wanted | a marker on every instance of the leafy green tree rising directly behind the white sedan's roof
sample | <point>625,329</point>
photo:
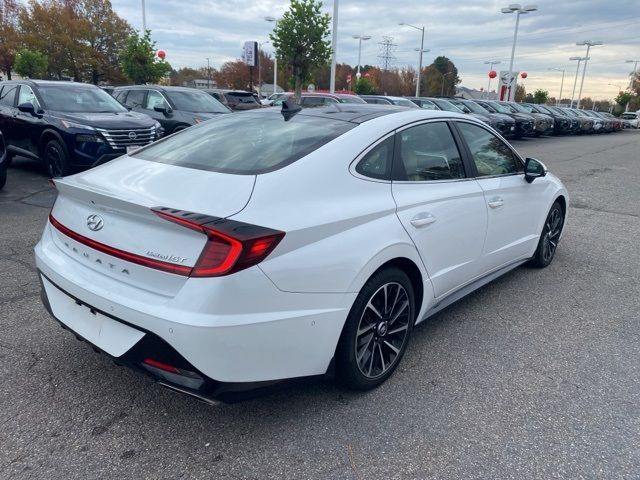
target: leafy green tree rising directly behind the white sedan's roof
<point>300,40</point>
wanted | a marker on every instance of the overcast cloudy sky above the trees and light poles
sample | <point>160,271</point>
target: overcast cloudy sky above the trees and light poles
<point>467,31</point>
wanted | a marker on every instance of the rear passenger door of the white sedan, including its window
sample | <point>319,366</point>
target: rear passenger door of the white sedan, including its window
<point>440,207</point>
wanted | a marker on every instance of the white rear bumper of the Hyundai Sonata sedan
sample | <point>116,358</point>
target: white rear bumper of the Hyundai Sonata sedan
<point>235,330</point>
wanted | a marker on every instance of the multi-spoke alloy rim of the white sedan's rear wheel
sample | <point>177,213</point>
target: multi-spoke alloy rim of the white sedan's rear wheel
<point>382,330</point>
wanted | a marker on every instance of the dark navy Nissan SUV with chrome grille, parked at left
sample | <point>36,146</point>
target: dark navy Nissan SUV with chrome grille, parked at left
<point>69,125</point>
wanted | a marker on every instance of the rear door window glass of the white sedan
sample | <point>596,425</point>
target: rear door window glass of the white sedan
<point>428,152</point>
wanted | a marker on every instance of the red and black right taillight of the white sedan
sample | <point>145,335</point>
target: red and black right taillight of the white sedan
<point>231,245</point>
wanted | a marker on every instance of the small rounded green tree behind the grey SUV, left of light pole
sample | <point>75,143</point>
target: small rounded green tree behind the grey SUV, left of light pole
<point>139,62</point>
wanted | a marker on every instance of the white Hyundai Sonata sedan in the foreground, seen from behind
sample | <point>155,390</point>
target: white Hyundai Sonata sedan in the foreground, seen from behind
<point>273,244</point>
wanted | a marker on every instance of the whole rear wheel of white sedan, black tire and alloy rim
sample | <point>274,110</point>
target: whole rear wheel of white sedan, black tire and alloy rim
<point>376,334</point>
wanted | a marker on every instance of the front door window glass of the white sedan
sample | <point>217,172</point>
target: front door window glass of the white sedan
<point>490,154</point>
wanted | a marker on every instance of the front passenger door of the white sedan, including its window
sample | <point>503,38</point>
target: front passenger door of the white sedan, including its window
<point>513,206</point>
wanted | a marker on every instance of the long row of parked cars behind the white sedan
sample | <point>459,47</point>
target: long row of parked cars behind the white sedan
<point>70,126</point>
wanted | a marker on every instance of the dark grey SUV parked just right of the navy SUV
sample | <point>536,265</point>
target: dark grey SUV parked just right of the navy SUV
<point>176,108</point>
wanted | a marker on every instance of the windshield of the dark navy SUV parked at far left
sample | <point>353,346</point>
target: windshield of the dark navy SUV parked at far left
<point>79,99</point>
